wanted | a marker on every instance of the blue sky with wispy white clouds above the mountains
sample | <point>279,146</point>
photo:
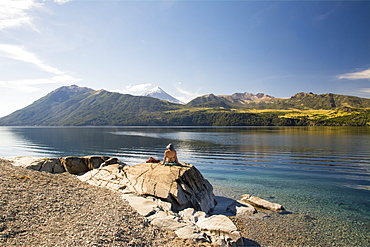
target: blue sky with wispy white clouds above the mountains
<point>187,47</point>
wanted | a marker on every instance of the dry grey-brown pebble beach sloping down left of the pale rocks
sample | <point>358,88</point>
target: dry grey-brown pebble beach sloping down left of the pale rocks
<point>43,209</point>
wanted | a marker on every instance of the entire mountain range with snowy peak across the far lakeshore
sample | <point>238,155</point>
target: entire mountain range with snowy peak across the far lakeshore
<point>81,106</point>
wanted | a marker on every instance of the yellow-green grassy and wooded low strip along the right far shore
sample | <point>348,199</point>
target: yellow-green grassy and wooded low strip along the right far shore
<point>337,116</point>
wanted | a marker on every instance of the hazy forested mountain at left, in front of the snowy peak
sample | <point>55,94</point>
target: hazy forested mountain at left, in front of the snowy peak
<point>85,108</point>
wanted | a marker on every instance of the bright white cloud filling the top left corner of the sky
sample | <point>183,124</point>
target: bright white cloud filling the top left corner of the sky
<point>14,13</point>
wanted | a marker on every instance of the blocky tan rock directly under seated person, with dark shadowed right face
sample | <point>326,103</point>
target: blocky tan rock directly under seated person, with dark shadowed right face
<point>182,185</point>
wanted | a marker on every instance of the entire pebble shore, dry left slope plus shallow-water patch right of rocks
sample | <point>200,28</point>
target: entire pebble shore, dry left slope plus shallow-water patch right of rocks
<point>43,209</point>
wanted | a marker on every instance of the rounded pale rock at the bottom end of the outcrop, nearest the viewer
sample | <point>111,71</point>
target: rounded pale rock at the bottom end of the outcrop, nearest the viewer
<point>221,230</point>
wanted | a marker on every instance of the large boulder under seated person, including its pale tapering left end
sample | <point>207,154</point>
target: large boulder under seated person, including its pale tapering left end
<point>183,186</point>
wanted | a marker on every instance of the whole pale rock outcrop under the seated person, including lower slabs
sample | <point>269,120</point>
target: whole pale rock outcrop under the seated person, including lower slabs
<point>175,198</point>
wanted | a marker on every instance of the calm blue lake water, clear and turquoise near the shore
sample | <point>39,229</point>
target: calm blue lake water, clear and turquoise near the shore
<point>319,171</point>
